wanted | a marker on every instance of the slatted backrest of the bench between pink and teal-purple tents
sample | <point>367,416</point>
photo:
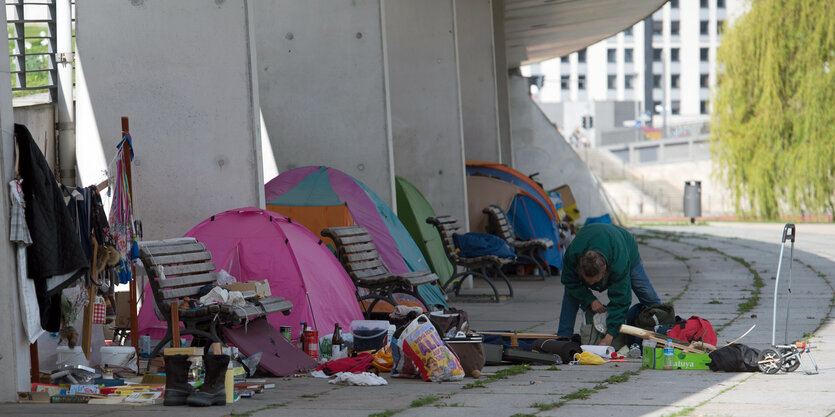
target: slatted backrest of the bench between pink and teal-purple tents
<point>356,251</point>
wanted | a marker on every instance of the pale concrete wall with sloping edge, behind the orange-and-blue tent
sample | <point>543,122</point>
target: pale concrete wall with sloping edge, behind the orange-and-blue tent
<point>538,147</point>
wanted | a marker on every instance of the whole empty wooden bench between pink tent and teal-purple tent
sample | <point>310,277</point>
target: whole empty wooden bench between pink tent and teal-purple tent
<point>356,251</point>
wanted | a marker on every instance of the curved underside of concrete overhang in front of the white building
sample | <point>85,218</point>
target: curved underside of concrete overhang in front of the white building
<point>536,30</point>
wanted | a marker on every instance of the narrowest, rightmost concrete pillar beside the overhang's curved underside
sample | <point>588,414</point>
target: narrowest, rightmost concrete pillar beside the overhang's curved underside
<point>505,137</point>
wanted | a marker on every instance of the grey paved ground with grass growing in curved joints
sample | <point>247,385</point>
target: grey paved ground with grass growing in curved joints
<point>707,270</point>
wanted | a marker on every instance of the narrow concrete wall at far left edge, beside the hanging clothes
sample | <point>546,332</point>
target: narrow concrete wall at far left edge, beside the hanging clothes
<point>14,365</point>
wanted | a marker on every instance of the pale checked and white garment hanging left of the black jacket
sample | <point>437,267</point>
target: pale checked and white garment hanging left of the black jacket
<point>20,237</point>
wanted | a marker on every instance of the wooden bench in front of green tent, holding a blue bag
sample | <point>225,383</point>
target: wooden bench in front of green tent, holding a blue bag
<point>487,267</point>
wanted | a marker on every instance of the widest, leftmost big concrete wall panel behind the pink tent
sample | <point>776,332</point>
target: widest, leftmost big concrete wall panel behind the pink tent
<point>182,72</point>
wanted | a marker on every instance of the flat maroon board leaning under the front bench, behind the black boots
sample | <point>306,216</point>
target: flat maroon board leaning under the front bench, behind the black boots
<point>280,357</point>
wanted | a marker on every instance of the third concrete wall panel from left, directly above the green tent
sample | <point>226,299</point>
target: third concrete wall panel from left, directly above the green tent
<point>425,101</point>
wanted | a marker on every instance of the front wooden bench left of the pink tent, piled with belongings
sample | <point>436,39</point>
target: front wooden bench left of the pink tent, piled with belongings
<point>178,269</point>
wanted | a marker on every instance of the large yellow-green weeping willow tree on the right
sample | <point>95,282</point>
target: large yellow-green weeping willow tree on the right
<point>773,121</point>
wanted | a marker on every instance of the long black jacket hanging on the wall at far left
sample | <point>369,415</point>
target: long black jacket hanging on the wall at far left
<point>55,258</point>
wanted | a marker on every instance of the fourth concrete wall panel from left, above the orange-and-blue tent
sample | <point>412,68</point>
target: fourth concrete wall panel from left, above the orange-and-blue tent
<point>477,72</point>
